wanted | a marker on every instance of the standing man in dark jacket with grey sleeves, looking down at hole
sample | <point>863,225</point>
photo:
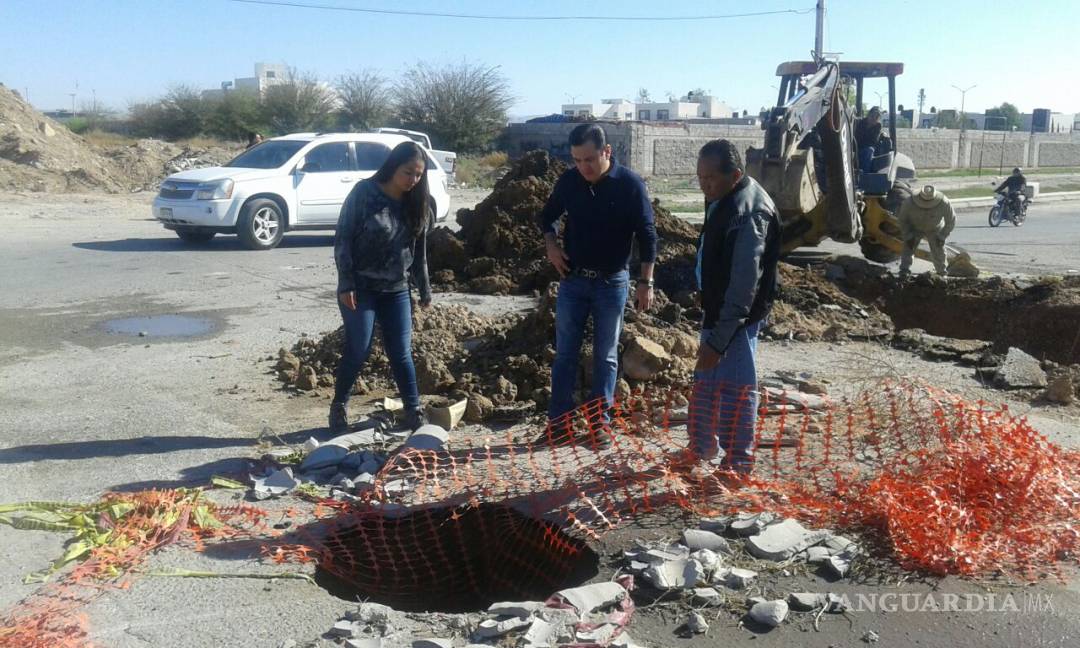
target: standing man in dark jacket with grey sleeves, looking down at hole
<point>737,273</point>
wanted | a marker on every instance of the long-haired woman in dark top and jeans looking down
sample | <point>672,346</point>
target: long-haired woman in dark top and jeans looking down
<point>382,241</point>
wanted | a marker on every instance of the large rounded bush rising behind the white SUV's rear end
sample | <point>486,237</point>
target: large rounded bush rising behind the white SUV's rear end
<point>463,106</point>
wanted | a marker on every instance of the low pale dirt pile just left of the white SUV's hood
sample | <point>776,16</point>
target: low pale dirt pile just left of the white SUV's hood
<point>144,165</point>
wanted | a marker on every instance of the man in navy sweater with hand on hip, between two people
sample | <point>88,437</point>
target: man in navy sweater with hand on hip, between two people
<point>606,208</point>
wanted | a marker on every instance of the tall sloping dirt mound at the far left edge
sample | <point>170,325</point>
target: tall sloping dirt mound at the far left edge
<point>40,155</point>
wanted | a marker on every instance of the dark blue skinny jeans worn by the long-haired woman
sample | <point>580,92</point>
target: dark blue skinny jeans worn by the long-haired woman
<point>395,314</point>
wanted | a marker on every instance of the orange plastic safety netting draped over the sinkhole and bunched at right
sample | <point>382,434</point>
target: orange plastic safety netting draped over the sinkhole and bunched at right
<point>951,487</point>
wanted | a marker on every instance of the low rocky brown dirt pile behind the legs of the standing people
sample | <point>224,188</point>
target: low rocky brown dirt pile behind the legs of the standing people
<point>502,366</point>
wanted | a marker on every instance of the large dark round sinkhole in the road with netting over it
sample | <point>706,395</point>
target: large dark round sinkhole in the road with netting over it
<point>451,560</point>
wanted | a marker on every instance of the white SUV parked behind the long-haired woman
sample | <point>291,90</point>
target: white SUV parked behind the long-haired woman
<point>293,183</point>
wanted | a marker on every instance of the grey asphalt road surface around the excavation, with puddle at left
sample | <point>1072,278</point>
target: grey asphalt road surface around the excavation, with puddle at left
<point>87,408</point>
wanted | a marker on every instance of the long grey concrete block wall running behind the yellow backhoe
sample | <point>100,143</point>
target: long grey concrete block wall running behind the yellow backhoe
<point>671,148</point>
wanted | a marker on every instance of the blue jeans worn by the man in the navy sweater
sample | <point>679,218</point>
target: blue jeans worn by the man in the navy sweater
<point>579,299</point>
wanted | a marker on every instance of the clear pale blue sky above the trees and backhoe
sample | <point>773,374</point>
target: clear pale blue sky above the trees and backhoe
<point>131,50</point>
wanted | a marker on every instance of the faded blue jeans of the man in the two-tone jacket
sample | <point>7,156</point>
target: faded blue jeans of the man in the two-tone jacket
<point>724,406</point>
